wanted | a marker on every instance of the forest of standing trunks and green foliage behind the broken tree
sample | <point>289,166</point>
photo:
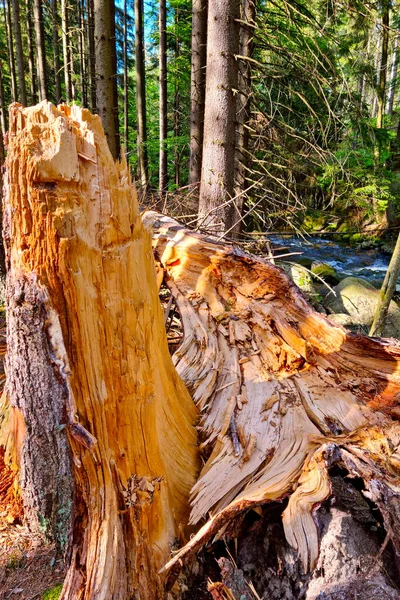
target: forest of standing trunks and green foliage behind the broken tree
<point>311,105</point>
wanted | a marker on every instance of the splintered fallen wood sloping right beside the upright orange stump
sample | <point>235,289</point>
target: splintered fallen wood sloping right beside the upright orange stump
<point>283,393</point>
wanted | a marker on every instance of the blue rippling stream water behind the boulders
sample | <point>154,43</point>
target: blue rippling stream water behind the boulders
<point>346,260</point>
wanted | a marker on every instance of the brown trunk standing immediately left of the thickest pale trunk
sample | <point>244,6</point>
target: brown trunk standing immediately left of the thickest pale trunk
<point>197,87</point>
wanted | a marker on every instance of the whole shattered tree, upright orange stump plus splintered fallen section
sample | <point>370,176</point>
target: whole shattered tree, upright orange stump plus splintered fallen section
<point>102,424</point>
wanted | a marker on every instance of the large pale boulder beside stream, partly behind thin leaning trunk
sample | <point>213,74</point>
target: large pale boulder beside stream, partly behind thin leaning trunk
<point>358,299</point>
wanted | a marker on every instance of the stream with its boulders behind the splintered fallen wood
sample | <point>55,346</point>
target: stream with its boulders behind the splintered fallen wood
<point>352,276</point>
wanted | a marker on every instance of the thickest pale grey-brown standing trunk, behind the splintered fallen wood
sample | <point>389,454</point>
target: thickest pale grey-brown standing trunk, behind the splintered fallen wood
<point>217,177</point>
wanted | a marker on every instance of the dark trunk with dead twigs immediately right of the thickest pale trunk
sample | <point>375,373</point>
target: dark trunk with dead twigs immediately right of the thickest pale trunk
<point>243,109</point>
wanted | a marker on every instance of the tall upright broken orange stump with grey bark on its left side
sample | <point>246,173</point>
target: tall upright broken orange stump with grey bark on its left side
<point>108,453</point>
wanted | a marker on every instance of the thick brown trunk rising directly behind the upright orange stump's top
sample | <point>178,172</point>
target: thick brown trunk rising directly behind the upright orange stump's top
<point>106,71</point>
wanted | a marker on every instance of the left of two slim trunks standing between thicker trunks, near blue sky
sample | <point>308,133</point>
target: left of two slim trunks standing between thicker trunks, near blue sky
<point>141,96</point>
